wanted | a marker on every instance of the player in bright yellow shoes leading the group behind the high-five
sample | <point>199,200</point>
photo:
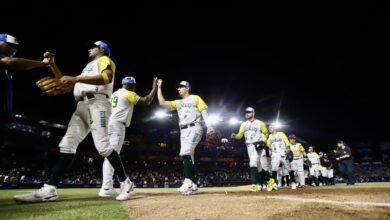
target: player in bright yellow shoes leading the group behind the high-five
<point>255,132</point>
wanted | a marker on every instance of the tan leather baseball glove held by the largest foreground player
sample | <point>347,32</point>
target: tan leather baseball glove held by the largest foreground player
<point>52,86</point>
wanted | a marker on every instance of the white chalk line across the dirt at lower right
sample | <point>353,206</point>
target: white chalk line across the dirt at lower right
<point>378,204</point>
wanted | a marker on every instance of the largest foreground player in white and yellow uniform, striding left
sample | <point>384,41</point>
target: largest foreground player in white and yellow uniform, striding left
<point>92,89</point>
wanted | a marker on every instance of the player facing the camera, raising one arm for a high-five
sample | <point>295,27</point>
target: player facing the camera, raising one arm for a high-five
<point>190,108</point>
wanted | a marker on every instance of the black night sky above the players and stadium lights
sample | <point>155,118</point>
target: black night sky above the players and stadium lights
<point>321,63</point>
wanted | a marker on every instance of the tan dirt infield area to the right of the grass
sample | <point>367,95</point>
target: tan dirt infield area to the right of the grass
<point>263,205</point>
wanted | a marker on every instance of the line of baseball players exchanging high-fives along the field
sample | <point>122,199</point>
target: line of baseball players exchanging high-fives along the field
<point>106,114</point>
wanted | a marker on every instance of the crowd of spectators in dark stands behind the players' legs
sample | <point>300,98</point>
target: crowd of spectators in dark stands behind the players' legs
<point>88,172</point>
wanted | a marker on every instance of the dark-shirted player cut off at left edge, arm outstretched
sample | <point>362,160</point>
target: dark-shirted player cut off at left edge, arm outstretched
<point>8,48</point>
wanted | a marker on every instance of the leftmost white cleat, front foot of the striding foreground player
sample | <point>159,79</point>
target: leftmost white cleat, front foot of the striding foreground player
<point>47,193</point>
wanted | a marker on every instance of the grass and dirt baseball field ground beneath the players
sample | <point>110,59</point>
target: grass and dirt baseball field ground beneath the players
<point>362,201</point>
